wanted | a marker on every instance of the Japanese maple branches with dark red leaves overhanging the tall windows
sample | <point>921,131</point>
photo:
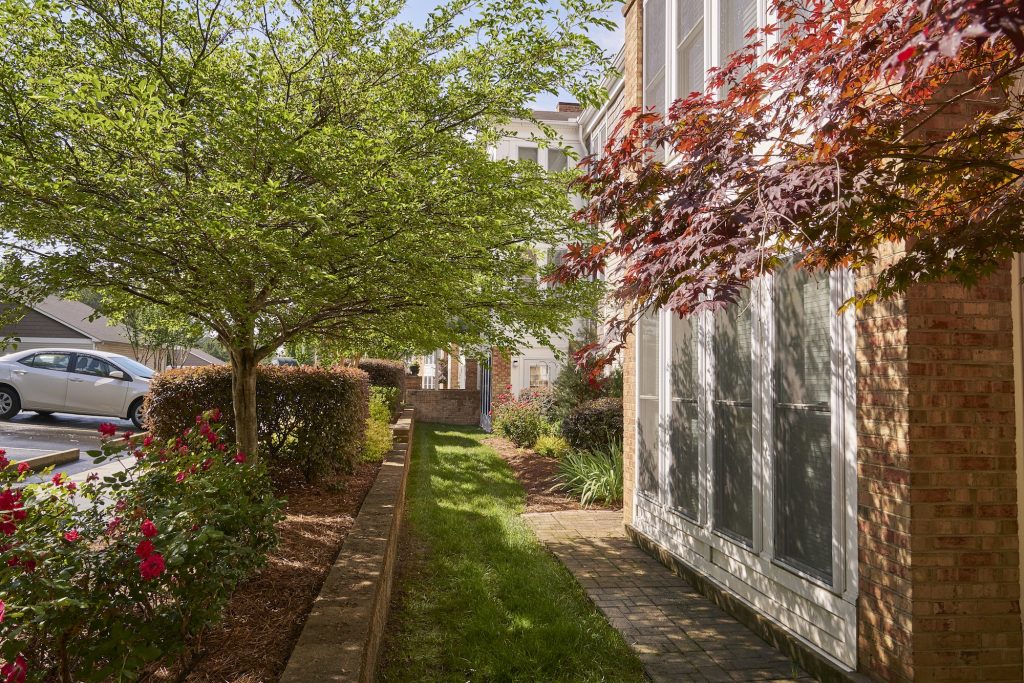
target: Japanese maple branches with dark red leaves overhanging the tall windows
<point>843,127</point>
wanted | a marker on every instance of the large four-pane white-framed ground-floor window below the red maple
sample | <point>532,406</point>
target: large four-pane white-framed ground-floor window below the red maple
<point>745,425</point>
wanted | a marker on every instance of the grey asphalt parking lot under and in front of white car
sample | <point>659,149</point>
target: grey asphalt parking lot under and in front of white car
<point>30,435</point>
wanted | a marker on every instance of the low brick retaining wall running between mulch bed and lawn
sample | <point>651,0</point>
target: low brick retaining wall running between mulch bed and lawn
<point>342,639</point>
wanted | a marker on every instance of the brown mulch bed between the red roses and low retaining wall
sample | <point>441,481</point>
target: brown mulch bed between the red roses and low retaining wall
<point>266,616</point>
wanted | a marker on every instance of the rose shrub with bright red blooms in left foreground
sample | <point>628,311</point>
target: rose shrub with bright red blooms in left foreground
<point>99,580</point>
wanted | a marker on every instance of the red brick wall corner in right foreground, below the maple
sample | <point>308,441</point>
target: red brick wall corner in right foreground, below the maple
<point>940,566</point>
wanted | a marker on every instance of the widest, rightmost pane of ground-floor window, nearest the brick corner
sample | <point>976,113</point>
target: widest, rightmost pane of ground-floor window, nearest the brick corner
<point>803,422</point>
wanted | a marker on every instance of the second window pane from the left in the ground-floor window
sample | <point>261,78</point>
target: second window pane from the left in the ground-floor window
<point>684,474</point>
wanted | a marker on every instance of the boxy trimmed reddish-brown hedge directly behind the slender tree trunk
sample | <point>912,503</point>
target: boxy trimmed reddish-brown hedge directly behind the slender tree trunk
<point>313,419</point>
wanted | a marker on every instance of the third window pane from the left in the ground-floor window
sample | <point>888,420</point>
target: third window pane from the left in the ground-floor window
<point>734,477</point>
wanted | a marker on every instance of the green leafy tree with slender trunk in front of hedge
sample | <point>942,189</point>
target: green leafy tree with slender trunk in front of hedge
<point>290,168</point>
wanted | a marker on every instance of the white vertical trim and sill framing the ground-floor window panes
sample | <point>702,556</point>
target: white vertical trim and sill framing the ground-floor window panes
<point>761,554</point>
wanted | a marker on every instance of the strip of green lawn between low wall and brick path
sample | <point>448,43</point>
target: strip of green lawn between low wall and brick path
<point>484,601</point>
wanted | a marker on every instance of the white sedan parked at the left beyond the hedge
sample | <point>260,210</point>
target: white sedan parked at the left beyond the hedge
<point>84,382</point>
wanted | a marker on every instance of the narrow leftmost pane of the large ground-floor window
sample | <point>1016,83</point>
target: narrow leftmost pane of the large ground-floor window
<point>648,408</point>
